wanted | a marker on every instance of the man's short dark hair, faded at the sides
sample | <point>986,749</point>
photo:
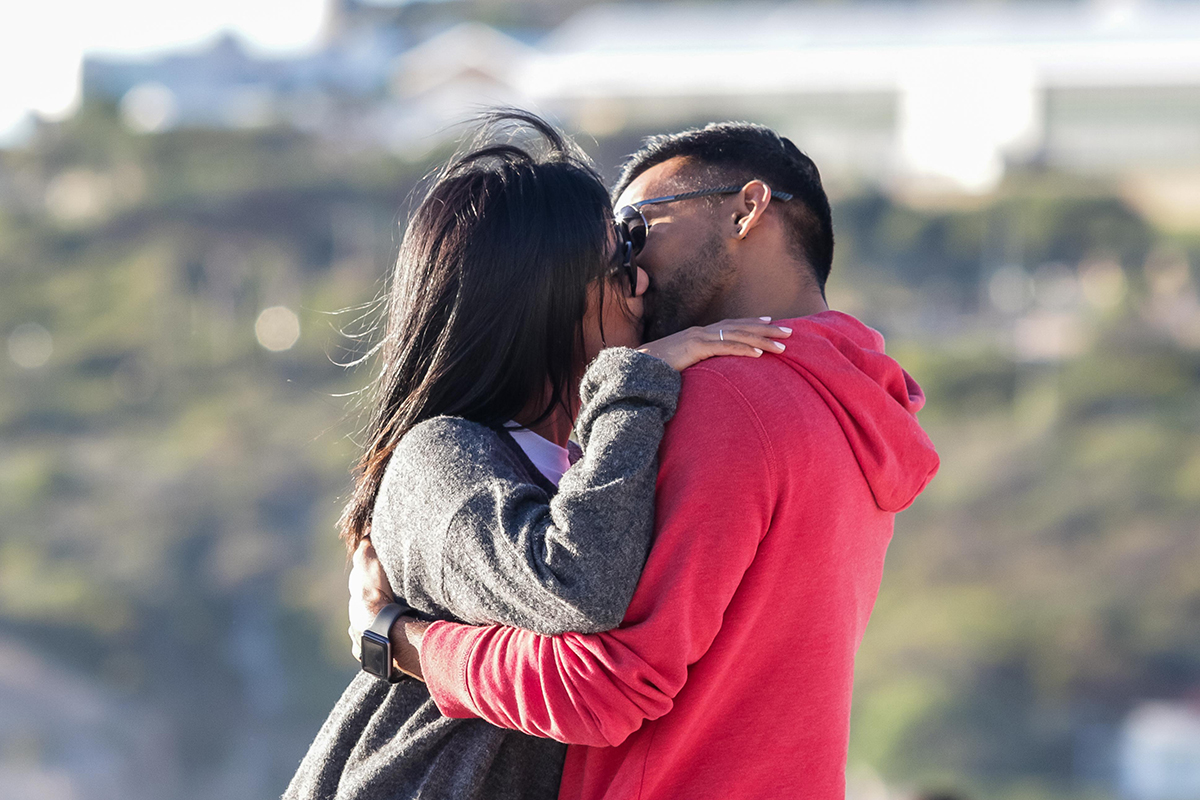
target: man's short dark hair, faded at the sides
<point>731,153</point>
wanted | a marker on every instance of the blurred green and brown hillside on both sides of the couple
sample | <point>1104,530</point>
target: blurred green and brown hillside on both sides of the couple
<point>172,461</point>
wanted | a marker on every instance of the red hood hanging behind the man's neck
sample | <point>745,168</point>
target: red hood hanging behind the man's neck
<point>873,399</point>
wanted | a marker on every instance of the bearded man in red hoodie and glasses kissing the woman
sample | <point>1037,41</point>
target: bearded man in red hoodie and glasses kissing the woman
<point>779,480</point>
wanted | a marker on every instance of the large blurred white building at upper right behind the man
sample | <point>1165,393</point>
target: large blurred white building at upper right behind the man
<point>938,92</point>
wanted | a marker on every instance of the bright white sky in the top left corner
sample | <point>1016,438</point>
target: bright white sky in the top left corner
<point>43,44</point>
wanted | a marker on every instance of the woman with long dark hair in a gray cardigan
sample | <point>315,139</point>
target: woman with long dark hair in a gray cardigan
<point>509,284</point>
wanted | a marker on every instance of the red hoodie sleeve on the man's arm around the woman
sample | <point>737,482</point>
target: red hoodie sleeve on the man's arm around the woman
<point>716,497</point>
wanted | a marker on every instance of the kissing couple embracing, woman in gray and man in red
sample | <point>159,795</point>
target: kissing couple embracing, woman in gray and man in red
<point>670,607</point>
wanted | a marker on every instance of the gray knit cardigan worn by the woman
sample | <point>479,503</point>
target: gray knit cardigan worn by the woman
<point>469,531</point>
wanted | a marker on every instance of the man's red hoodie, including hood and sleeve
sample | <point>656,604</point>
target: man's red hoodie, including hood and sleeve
<point>731,675</point>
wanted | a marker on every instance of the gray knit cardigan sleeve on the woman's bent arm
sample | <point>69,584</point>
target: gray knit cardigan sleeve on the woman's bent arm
<point>493,548</point>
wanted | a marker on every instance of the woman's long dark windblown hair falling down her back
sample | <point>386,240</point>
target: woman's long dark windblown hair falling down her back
<point>489,293</point>
